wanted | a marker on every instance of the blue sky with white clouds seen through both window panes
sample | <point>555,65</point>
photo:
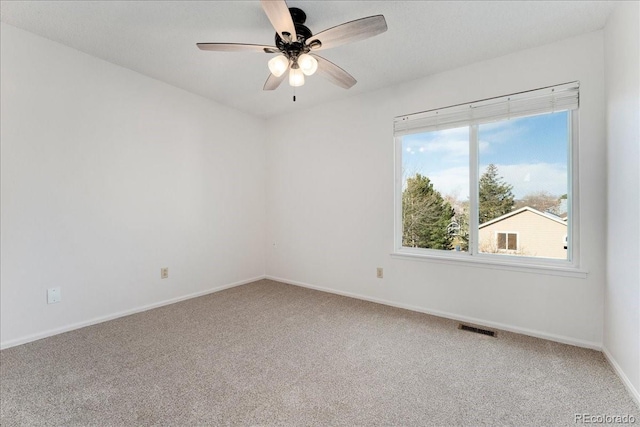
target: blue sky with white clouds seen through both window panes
<point>530,152</point>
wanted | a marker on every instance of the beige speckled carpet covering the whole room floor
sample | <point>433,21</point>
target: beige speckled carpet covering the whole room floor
<point>274,354</point>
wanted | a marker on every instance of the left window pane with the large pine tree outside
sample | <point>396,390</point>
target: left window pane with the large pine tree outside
<point>435,190</point>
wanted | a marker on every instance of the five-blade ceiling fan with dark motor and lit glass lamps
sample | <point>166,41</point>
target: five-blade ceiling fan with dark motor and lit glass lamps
<point>296,45</point>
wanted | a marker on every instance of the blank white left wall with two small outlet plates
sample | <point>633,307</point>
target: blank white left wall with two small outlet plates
<point>107,176</point>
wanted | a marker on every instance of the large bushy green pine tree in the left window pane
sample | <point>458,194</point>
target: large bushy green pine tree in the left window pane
<point>425,215</point>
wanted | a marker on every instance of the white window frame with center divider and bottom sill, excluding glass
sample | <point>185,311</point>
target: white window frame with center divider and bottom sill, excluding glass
<point>570,267</point>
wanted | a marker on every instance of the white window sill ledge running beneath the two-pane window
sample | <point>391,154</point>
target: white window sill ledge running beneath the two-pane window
<point>495,264</point>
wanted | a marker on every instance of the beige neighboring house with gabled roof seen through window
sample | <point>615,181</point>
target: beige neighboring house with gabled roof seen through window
<point>525,231</point>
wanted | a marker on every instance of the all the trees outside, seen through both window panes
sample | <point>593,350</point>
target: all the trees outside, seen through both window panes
<point>431,220</point>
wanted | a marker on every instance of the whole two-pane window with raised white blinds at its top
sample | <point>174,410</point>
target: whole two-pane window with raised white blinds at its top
<point>492,180</point>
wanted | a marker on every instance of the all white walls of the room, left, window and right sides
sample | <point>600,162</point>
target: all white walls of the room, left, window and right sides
<point>108,175</point>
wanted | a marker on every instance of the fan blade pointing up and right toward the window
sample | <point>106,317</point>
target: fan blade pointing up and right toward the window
<point>348,32</point>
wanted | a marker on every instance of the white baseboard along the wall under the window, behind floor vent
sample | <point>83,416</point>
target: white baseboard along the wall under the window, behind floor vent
<point>453,316</point>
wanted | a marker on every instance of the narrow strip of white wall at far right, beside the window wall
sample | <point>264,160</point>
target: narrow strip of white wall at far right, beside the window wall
<point>622,293</point>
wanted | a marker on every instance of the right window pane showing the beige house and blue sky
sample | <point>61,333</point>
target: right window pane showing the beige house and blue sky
<point>523,167</point>
